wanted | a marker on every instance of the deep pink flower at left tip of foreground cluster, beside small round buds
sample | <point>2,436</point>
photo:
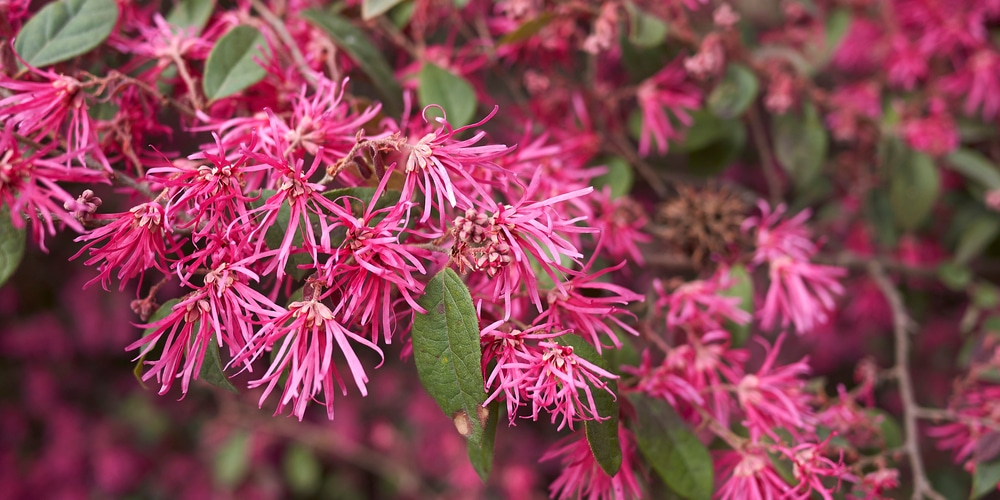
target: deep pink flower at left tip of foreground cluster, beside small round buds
<point>134,241</point>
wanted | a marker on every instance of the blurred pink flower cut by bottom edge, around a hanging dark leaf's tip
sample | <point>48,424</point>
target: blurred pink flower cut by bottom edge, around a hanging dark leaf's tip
<point>583,477</point>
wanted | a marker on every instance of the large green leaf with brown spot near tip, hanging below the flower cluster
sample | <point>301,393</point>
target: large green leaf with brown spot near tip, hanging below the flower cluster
<point>447,352</point>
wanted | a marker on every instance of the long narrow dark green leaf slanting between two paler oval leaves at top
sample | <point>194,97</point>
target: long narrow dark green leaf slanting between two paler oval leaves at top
<point>364,53</point>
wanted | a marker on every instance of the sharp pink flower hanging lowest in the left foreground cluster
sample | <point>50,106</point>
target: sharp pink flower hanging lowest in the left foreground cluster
<point>308,334</point>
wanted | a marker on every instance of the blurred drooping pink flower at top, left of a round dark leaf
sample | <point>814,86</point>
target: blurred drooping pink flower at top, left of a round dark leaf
<point>666,90</point>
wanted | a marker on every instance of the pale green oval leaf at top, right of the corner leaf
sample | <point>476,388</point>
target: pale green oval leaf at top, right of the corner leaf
<point>231,67</point>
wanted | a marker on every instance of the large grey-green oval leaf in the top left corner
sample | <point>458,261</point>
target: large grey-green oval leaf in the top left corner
<point>65,29</point>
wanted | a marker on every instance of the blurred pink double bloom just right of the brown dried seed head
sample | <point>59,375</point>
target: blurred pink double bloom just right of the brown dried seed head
<point>800,292</point>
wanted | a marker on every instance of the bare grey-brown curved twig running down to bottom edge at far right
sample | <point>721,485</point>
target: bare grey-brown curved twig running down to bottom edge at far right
<point>901,329</point>
